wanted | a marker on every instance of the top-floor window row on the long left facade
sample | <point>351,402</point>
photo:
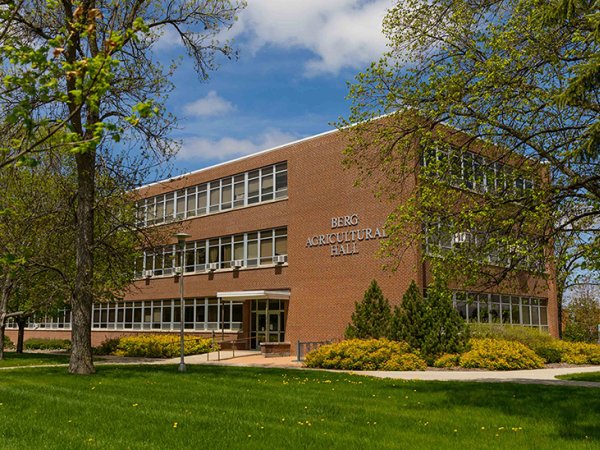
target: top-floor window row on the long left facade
<point>248,188</point>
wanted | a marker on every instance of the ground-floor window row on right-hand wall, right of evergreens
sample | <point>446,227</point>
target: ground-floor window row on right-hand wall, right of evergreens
<point>503,309</point>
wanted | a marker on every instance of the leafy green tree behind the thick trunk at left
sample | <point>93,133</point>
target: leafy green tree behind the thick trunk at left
<point>37,217</point>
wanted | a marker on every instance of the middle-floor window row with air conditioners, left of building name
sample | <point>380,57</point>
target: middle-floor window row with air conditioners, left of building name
<point>258,248</point>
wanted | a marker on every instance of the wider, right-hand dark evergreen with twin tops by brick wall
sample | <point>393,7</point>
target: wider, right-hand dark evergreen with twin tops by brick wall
<point>431,325</point>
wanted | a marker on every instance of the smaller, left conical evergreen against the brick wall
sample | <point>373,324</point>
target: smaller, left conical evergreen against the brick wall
<point>371,318</point>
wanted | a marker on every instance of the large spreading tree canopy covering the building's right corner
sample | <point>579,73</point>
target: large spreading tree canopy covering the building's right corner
<point>499,100</point>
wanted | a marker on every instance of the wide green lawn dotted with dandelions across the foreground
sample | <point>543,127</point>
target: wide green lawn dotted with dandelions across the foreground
<point>154,407</point>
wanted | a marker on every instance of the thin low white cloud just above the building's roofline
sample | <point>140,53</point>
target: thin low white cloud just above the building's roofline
<point>201,150</point>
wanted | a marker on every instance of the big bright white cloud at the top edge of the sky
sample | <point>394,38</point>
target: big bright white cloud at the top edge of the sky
<point>341,33</point>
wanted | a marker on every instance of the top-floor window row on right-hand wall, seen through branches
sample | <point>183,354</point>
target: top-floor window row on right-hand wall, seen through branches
<point>475,172</point>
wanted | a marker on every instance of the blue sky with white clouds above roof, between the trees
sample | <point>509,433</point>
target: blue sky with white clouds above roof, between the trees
<point>295,57</point>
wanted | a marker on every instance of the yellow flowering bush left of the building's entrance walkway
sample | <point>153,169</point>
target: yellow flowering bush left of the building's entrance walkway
<point>161,346</point>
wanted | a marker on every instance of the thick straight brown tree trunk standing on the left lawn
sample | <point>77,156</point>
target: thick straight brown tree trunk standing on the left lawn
<point>81,339</point>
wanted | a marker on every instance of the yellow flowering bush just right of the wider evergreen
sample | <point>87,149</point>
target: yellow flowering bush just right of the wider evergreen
<point>498,354</point>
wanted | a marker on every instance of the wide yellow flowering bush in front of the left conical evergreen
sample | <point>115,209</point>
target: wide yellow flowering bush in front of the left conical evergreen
<point>368,354</point>
